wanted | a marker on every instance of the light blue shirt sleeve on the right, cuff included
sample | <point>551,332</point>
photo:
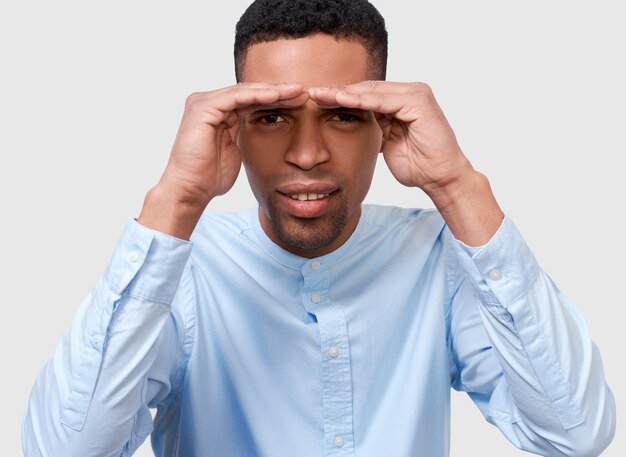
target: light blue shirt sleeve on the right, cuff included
<point>523,352</point>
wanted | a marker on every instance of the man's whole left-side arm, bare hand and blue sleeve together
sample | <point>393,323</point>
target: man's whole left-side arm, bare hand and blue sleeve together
<point>128,345</point>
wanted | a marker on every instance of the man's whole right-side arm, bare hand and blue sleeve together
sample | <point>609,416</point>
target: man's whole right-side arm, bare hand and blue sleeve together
<point>521,349</point>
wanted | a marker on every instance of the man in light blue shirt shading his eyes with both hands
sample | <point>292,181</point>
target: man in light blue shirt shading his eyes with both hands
<point>312,324</point>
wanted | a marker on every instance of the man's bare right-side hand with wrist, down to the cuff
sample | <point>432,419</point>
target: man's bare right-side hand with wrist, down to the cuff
<point>421,150</point>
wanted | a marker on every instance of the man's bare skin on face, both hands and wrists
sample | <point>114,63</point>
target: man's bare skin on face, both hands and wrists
<point>305,135</point>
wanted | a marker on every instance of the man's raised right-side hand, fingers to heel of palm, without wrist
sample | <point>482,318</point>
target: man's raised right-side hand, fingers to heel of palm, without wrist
<point>419,145</point>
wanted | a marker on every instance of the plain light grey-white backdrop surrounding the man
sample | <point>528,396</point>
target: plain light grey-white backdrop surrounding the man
<point>91,95</point>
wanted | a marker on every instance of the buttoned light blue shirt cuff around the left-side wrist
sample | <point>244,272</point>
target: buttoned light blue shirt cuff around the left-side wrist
<point>147,263</point>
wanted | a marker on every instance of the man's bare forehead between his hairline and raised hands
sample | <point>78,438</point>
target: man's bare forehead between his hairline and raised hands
<point>316,60</point>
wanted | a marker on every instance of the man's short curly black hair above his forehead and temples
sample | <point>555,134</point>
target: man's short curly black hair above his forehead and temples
<point>269,20</point>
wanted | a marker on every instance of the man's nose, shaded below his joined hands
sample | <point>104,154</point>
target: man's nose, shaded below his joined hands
<point>306,147</point>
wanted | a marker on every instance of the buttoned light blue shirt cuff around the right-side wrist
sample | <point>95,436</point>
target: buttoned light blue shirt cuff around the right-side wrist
<point>502,269</point>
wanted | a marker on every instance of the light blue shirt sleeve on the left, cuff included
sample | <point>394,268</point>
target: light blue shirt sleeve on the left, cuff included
<point>125,352</point>
